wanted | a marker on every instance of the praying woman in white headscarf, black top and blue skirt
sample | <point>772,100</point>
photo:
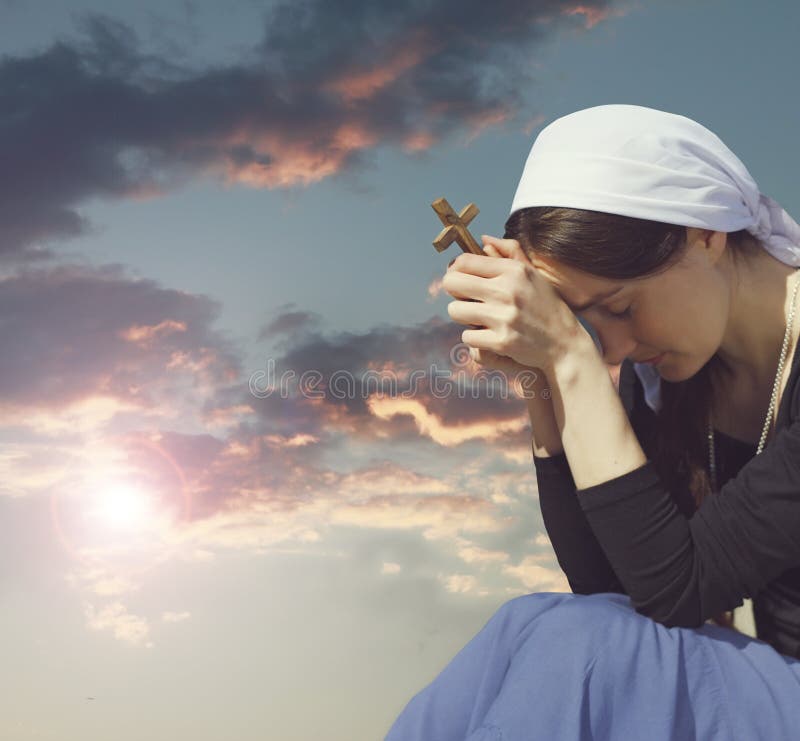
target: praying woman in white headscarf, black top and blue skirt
<point>665,513</point>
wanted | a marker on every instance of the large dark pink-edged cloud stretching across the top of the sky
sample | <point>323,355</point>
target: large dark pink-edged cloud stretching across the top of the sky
<point>330,81</point>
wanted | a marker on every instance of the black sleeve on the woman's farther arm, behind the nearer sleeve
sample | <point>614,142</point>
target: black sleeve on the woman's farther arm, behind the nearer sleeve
<point>577,550</point>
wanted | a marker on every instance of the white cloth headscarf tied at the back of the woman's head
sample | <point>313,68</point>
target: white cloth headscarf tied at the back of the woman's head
<point>649,164</point>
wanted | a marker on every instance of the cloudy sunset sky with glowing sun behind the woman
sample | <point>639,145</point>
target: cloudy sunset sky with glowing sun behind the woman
<point>202,203</point>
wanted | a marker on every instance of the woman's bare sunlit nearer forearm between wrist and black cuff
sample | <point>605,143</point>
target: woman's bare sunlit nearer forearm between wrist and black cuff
<point>592,424</point>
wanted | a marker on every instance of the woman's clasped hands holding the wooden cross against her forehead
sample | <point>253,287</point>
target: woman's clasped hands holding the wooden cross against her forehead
<point>519,314</point>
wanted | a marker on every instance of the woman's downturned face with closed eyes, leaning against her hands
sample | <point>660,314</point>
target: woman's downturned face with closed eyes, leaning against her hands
<point>682,312</point>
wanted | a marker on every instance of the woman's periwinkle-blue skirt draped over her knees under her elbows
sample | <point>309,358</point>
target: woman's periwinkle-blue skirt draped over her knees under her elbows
<point>569,667</point>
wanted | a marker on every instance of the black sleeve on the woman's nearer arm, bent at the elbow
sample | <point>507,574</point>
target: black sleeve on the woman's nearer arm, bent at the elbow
<point>681,571</point>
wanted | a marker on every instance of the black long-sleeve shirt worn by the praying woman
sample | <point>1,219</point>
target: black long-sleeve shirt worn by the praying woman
<point>681,564</point>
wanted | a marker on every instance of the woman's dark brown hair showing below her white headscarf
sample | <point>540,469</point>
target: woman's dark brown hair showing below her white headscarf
<point>623,248</point>
